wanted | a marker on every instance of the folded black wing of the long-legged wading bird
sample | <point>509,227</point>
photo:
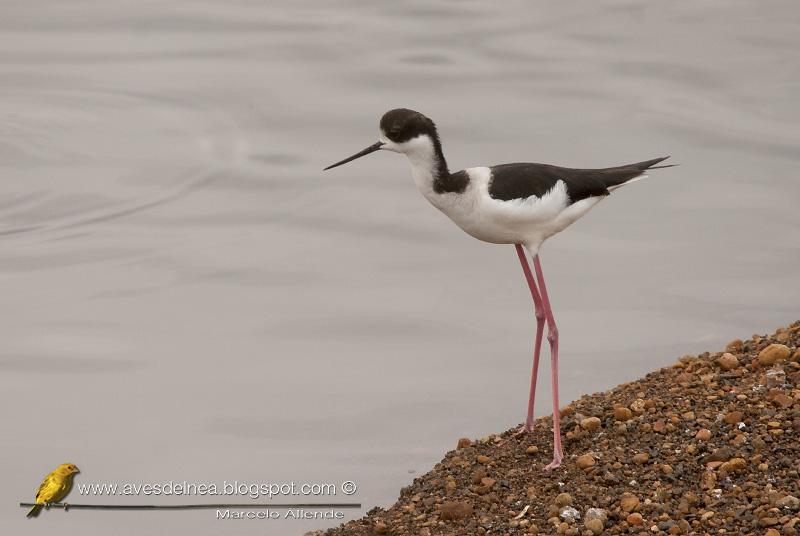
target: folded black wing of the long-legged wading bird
<point>519,181</point>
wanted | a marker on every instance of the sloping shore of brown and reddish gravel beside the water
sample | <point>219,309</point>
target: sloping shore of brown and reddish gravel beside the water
<point>708,445</point>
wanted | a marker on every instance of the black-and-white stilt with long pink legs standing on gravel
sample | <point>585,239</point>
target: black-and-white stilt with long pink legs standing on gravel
<point>521,204</point>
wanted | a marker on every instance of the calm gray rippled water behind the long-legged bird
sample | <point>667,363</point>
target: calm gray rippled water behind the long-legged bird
<point>186,296</point>
